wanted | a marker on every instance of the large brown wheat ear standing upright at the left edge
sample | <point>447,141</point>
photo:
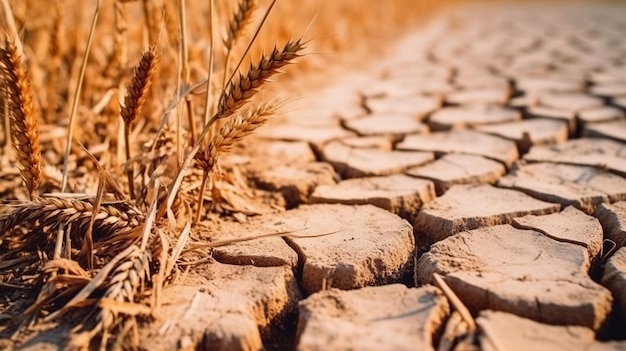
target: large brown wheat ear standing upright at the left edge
<point>24,121</point>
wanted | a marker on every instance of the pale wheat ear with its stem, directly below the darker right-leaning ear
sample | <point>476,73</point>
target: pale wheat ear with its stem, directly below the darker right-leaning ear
<point>234,130</point>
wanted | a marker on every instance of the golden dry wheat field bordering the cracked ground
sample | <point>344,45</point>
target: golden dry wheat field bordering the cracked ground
<point>111,140</point>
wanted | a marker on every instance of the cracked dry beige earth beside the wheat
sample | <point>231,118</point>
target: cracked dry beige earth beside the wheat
<point>488,148</point>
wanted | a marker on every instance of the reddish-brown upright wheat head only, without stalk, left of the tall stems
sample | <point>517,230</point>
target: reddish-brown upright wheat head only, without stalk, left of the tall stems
<point>139,85</point>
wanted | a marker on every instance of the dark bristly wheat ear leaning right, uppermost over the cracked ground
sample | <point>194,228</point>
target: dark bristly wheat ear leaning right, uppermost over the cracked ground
<point>241,90</point>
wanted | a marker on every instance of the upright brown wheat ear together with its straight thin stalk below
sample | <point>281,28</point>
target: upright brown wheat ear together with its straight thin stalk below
<point>134,101</point>
